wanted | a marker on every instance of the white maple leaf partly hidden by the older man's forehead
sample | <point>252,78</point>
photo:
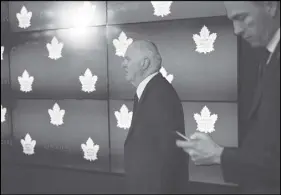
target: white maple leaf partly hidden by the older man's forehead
<point>121,44</point>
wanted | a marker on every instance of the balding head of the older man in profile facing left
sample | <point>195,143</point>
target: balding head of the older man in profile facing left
<point>142,59</point>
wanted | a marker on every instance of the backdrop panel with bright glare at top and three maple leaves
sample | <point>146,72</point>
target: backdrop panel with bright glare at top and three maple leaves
<point>60,78</point>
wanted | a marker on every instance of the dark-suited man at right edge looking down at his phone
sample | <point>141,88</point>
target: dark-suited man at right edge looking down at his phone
<point>255,166</point>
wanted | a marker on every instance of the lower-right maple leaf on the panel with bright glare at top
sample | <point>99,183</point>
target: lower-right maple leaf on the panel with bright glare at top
<point>88,81</point>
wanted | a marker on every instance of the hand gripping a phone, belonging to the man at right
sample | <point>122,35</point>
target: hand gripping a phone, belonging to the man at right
<point>202,149</point>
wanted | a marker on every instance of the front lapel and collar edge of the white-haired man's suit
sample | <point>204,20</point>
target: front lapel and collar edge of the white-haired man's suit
<point>139,106</point>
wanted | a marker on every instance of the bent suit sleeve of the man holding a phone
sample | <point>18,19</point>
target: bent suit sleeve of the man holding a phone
<point>259,156</point>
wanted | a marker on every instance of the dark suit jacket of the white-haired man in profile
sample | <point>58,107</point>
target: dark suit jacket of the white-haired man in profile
<point>153,163</point>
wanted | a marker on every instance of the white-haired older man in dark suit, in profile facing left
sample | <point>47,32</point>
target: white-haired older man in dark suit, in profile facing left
<point>153,162</point>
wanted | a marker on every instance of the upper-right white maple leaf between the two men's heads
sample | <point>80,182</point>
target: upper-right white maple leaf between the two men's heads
<point>204,42</point>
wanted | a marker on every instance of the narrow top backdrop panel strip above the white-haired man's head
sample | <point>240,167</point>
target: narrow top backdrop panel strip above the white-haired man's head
<point>120,12</point>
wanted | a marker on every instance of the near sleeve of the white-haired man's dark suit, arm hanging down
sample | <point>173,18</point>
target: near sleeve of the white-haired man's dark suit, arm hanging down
<point>170,164</point>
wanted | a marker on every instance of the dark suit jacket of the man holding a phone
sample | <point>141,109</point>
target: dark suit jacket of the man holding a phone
<point>255,166</point>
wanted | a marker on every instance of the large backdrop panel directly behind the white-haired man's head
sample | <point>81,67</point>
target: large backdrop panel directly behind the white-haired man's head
<point>197,76</point>
